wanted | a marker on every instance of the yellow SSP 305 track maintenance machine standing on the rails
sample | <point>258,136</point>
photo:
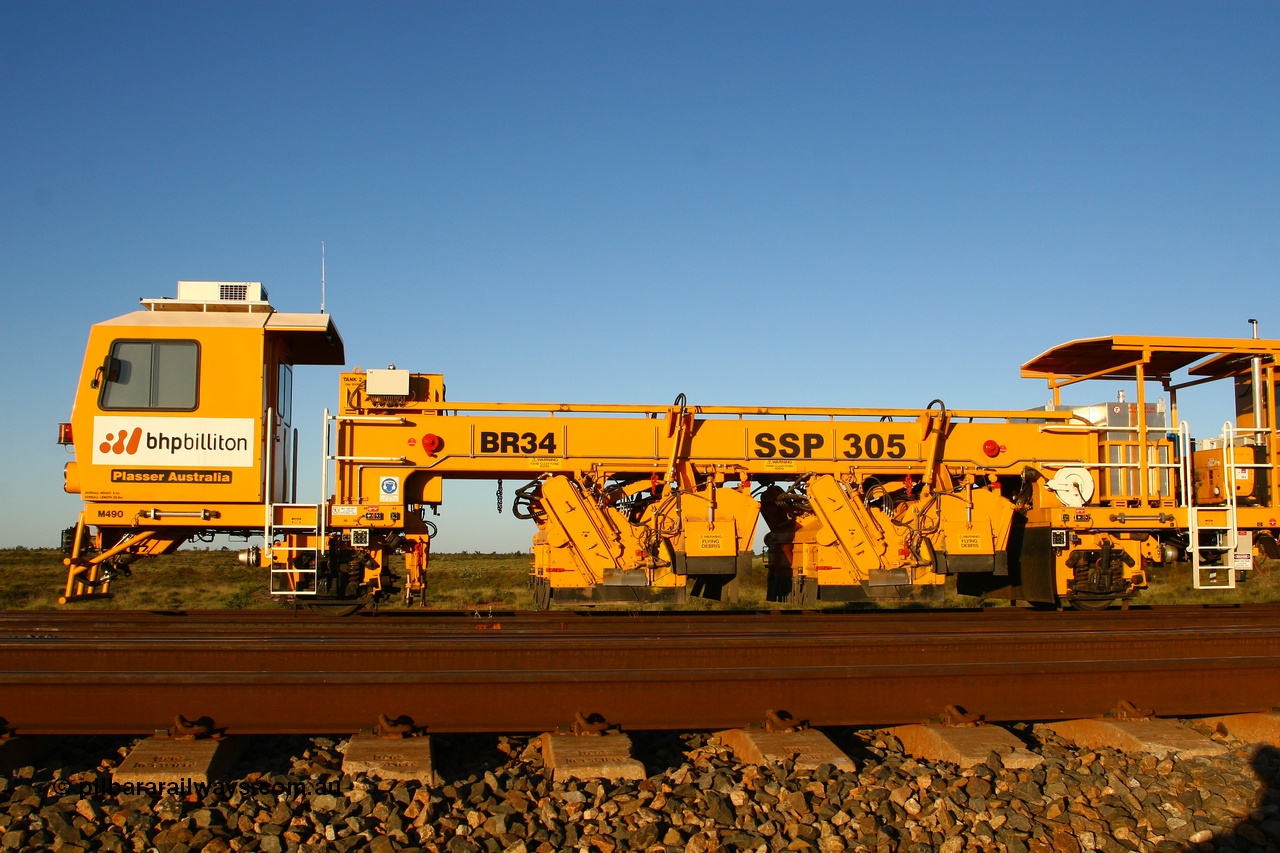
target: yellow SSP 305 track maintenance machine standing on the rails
<point>184,428</point>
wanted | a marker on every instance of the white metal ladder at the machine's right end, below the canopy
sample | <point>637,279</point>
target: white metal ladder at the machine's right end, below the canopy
<point>1217,524</point>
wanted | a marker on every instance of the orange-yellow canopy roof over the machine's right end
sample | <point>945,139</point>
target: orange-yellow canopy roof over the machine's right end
<point>1119,357</point>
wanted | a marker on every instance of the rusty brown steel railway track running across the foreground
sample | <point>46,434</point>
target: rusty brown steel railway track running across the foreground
<point>282,673</point>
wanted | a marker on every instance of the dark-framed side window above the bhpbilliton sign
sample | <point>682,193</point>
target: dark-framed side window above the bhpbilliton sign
<point>152,375</point>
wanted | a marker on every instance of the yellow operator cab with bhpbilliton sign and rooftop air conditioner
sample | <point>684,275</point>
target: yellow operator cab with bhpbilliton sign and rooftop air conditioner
<point>184,421</point>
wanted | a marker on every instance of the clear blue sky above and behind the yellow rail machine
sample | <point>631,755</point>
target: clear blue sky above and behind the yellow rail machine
<point>751,203</point>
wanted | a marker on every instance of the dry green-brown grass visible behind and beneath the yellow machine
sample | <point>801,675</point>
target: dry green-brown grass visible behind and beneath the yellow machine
<point>195,580</point>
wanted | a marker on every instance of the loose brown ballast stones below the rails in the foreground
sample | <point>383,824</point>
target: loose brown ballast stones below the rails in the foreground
<point>1156,805</point>
